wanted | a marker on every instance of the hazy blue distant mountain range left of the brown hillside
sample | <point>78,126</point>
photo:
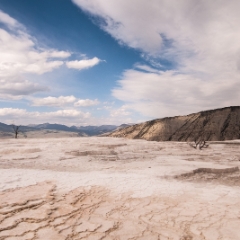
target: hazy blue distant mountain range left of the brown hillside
<point>7,130</point>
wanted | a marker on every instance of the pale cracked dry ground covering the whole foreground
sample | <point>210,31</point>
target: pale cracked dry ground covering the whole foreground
<point>108,188</point>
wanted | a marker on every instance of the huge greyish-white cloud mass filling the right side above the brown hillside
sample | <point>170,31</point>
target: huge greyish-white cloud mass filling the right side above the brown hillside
<point>199,38</point>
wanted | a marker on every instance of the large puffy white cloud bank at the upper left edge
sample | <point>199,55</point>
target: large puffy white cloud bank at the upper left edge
<point>21,55</point>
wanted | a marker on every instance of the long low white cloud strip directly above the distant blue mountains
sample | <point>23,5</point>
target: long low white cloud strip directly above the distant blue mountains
<point>22,116</point>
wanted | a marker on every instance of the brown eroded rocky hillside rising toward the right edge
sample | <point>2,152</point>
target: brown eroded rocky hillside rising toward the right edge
<point>213,125</point>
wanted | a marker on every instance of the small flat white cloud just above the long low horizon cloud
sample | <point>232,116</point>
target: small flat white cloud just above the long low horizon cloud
<point>54,101</point>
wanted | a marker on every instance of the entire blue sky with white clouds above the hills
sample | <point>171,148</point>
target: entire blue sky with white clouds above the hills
<point>98,62</point>
